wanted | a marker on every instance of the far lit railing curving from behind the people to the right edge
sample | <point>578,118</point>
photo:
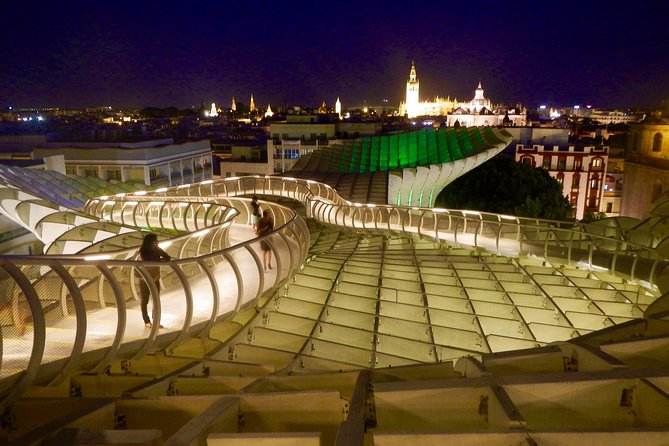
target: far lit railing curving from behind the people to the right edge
<point>557,241</point>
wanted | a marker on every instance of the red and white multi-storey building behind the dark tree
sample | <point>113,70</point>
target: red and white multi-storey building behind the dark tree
<point>580,169</point>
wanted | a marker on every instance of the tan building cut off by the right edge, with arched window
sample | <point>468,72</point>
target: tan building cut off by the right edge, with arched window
<point>646,167</point>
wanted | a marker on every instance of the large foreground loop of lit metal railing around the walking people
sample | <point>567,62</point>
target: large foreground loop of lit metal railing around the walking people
<point>70,313</point>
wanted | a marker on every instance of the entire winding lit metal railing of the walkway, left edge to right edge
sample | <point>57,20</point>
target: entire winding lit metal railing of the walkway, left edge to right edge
<point>57,296</point>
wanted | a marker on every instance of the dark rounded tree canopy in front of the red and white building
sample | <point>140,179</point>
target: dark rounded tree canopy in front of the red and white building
<point>503,186</point>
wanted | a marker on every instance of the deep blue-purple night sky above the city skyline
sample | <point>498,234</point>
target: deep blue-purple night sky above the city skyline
<point>141,53</point>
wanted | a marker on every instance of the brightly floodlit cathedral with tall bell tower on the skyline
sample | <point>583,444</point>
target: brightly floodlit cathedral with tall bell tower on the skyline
<point>479,111</point>
